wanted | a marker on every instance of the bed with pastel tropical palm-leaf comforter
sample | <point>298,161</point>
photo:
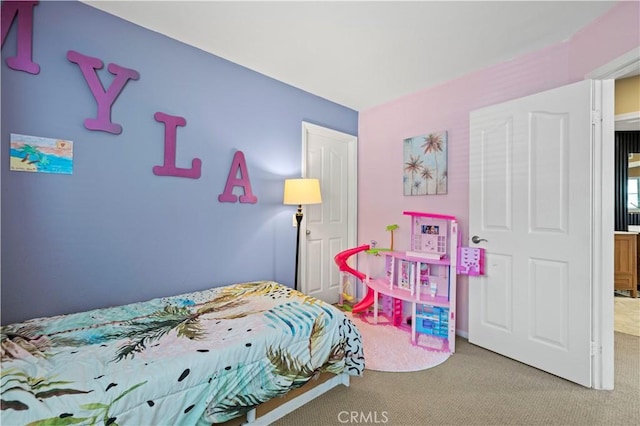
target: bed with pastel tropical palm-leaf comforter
<point>198,358</point>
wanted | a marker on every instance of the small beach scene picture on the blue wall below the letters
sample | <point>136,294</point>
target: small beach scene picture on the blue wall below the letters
<point>39,154</point>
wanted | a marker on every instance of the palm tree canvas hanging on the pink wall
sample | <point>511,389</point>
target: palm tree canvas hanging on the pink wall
<point>425,164</point>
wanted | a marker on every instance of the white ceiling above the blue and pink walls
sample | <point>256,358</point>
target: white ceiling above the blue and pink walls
<point>363,53</point>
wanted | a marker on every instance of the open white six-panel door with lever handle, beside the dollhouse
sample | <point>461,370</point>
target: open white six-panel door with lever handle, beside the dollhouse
<point>532,169</point>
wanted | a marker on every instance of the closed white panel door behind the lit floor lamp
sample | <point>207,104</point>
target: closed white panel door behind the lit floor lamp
<point>330,227</point>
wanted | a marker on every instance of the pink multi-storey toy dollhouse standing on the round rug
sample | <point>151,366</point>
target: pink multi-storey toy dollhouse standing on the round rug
<point>424,277</point>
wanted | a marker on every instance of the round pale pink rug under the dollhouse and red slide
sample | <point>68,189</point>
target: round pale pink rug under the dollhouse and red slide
<point>389,348</point>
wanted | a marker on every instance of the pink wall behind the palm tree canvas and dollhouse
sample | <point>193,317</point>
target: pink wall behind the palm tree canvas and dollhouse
<point>447,106</point>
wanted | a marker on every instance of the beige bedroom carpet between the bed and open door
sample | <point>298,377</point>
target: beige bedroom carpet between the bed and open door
<point>478,387</point>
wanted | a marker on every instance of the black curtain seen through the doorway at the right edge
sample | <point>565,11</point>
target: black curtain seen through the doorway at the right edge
<point>626,142</point>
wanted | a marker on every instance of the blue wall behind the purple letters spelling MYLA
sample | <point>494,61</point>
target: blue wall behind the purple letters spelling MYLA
<point>113,232</point>
